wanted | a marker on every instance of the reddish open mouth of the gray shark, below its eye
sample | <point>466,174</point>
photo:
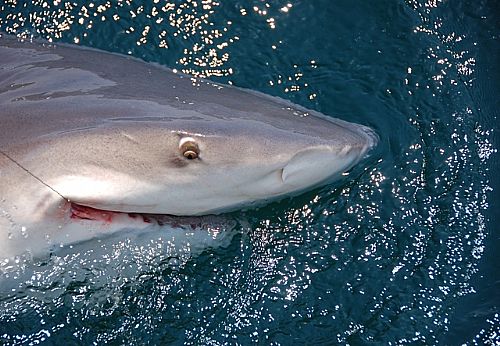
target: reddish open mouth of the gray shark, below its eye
<point>81,212</point>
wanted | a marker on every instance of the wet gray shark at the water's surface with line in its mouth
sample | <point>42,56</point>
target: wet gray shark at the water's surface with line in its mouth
<point>91,141</point>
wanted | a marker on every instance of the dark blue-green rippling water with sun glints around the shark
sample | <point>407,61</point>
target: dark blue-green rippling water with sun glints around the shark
<point>401,252</point>
